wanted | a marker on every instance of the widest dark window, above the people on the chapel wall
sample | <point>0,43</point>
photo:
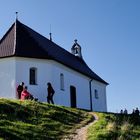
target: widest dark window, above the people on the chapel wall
<point>33,76</point>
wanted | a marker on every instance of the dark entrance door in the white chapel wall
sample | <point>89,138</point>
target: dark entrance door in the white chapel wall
<point>73,96</point>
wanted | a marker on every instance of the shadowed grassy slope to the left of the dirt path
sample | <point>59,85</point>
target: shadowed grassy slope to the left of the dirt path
<point>33,120</point>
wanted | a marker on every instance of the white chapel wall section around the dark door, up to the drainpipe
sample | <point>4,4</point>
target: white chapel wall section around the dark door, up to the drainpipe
<point>71,78</point>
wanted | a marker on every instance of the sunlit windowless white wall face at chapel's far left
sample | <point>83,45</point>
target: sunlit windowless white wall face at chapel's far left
<point>7,78</point>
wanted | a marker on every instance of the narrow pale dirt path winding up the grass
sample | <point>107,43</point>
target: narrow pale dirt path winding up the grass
<point>81,134</point>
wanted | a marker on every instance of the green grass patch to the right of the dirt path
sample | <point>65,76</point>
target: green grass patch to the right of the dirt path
<point>115,127</point>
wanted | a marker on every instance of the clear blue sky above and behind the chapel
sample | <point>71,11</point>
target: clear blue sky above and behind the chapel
<point>107,30</point>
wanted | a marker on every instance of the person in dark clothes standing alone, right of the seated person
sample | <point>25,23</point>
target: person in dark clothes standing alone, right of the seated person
<point>50,93</point>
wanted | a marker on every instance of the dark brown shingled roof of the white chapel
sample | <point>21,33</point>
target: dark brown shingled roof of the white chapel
<point>22,41</point>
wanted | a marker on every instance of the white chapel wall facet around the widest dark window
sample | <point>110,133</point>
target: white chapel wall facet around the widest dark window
<point>44,75</point>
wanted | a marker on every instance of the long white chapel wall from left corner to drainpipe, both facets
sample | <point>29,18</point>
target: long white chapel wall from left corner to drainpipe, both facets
<point>49,71</point>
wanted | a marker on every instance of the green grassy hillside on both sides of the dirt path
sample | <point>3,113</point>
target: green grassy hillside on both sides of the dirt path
<point>30,120</point>
